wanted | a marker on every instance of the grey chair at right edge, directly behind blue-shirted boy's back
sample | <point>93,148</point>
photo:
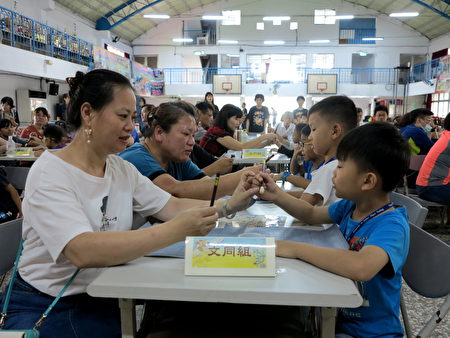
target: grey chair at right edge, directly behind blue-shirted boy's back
<point>427,272</point>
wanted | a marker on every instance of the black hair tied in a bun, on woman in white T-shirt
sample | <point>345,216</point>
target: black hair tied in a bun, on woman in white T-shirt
<point>96,88</point>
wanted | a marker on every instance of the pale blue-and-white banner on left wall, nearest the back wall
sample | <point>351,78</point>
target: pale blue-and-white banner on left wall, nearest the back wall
<point>148,81</point>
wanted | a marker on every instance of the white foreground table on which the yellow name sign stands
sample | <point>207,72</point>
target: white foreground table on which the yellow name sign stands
<point>297,283</point>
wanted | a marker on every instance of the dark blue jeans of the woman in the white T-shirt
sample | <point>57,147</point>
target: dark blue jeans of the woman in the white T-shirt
<point>73,316</point>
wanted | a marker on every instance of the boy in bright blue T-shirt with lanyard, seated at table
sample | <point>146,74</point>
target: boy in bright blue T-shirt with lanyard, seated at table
<point>372,159</point>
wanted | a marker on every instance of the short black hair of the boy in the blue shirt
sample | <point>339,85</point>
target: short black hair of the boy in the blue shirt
<point>378,147</point>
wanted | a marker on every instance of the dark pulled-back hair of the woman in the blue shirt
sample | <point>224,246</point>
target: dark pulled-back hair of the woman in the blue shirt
<point>168,114</point>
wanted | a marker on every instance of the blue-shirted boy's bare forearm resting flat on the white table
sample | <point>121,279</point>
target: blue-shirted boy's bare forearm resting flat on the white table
<point>357,265</point>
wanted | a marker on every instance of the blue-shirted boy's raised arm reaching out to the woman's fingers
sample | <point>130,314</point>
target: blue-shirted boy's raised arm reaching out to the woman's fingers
<point>295,207</point>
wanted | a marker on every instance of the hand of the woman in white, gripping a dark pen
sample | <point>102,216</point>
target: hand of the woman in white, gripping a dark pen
<point>196,222</point>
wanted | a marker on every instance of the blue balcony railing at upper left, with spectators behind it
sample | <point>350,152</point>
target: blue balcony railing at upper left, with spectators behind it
<point>20,31</point>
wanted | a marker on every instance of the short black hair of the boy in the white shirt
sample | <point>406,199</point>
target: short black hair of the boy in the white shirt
<point>339,109</point>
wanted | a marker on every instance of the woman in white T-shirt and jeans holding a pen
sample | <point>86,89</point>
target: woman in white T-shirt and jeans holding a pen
<point>78,209</point>
